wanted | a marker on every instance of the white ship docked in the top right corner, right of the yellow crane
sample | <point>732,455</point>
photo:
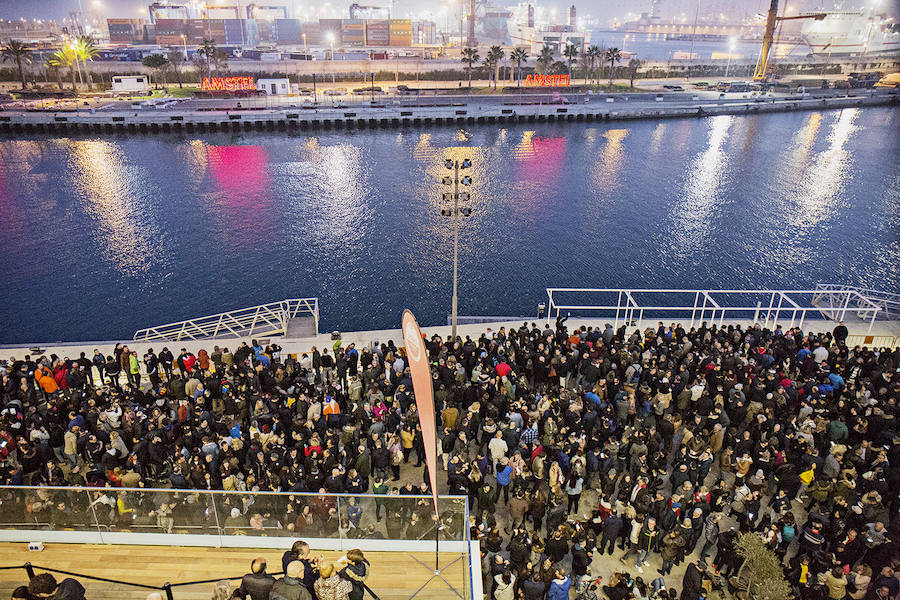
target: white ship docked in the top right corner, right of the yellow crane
<point>852,33</point>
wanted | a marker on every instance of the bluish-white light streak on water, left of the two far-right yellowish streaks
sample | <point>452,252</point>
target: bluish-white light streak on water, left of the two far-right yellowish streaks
<point>702,190</point>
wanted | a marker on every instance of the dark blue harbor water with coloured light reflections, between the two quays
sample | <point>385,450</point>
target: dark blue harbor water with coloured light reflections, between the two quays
<point>103,235</point>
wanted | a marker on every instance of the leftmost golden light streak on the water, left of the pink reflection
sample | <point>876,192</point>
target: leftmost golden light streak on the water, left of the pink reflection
<point>109,186</point>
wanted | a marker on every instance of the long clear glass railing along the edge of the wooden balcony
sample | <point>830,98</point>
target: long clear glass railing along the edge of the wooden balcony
<point>233,513</point>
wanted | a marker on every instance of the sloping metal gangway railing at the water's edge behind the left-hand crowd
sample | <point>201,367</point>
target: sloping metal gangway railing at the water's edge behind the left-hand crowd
<point>264,319</point>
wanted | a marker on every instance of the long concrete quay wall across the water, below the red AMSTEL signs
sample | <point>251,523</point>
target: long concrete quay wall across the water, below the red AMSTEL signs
<point>173,120</point>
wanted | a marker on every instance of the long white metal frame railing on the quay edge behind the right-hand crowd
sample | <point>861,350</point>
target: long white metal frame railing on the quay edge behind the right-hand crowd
<point>771,307</point>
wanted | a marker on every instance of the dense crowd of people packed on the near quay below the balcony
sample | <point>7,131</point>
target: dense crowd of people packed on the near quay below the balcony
<point>687,438</point>
